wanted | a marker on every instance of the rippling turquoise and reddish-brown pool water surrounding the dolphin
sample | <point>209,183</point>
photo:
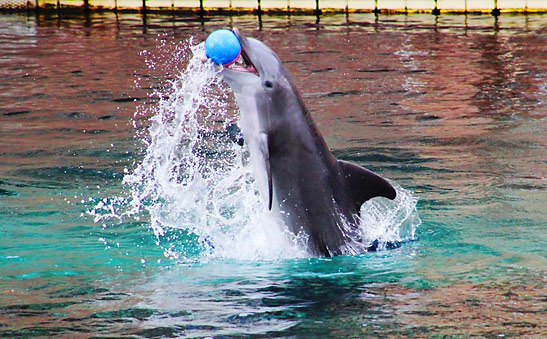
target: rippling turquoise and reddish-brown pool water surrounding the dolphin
<point>452,109</point>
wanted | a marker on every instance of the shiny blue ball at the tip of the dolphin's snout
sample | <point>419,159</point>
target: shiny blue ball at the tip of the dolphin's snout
<point>222,47</point>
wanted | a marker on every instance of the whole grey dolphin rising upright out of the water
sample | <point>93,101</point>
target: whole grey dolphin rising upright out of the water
<point>301,181</point>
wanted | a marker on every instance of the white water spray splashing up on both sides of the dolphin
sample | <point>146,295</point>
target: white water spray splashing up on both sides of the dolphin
<point>194,179</point>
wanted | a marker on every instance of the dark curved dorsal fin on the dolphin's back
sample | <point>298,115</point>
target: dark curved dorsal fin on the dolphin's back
<point>364,184</point>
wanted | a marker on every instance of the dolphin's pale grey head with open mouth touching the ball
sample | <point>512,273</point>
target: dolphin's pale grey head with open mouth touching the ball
<point>258,69</point>
